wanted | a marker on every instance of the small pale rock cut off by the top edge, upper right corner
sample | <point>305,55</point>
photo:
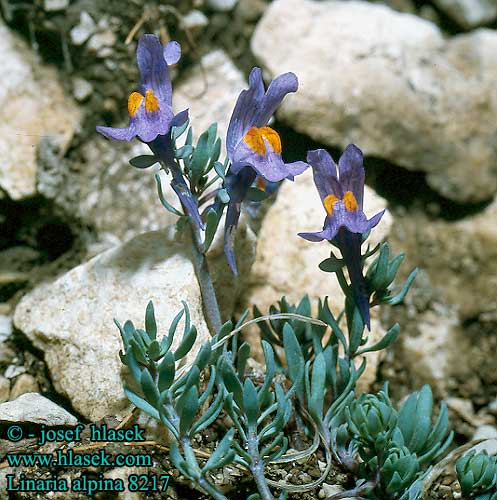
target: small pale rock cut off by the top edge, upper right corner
<point>469,13</point>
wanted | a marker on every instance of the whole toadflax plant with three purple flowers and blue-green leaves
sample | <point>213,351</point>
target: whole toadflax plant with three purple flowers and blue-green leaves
<point>313,361</point>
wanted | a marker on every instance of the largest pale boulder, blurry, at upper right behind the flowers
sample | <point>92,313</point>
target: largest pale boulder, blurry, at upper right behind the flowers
<point>393,85</point>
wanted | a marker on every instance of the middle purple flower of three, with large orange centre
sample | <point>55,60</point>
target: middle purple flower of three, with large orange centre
<point>250,142</point>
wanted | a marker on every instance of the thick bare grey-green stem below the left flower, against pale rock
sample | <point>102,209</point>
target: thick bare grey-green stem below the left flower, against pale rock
<point>209,299</point>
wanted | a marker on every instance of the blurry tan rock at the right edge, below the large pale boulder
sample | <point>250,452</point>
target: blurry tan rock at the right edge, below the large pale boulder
<point>460,258</point>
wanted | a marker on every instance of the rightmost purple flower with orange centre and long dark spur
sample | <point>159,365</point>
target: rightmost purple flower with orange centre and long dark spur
<point>345,222</point>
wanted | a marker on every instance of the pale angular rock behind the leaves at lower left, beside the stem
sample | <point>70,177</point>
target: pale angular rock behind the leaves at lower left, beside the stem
<point>81,342</point>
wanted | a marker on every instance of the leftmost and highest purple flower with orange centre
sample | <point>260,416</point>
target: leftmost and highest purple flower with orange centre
<point>150,109</point>
